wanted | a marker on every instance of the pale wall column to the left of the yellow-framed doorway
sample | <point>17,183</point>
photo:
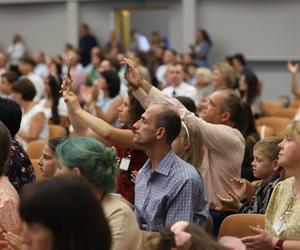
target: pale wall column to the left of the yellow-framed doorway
<point>72,22</point>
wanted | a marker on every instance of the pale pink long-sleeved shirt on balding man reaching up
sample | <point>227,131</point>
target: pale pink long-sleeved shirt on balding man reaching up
<point>224,147</point>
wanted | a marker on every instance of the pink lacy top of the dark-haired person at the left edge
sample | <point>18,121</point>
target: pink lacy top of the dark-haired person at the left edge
<point>9,203</point>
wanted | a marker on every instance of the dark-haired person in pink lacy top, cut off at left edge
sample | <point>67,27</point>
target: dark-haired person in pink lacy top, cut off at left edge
<point>9,198</point>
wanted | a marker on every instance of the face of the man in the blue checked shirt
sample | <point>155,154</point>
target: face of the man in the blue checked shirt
<point>145,128</point>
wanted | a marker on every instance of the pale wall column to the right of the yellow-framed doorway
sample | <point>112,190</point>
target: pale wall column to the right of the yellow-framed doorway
<point>188,23</point>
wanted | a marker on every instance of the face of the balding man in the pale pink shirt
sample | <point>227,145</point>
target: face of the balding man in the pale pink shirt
<point>212,108</point>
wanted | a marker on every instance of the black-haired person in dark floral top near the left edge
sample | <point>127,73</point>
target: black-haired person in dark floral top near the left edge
<point>19,169</point>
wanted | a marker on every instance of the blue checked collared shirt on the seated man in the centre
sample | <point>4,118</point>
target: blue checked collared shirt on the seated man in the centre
<point>173,192</point>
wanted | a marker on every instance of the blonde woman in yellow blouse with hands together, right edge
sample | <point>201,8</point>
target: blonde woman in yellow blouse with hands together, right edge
<point>282,224</point>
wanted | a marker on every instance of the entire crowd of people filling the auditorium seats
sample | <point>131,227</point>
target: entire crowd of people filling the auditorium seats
<point>161,147</point>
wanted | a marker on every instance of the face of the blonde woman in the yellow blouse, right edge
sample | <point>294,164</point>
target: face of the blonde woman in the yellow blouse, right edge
<point>289,154</point>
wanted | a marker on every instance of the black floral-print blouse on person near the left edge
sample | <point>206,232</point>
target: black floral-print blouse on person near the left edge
<point>19,168</point>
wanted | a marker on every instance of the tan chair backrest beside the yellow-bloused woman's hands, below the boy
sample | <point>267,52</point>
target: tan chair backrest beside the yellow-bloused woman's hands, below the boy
<point>238,224</point>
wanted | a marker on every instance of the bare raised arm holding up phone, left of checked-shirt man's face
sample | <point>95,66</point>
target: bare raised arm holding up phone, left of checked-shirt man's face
<point>83,121</point>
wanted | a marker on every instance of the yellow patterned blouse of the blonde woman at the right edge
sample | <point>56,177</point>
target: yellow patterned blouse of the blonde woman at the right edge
<point>282,215</point>
